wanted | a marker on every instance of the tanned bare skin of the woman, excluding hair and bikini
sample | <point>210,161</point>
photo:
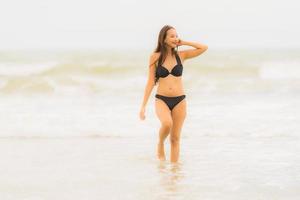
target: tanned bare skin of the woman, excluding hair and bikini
<point>171,121</point>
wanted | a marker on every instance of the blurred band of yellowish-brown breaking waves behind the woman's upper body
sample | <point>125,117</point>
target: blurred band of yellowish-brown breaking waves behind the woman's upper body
<point>73,73</point>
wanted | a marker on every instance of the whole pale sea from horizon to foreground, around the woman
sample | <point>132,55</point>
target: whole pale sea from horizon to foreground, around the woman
<point>70,127</point>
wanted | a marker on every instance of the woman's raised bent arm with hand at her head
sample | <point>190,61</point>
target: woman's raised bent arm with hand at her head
<point>190,53</point>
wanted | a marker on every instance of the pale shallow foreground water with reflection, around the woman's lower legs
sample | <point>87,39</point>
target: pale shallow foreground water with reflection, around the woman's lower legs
<point>126,168</point>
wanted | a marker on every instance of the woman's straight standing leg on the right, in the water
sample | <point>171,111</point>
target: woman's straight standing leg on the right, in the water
<point>178,116</point>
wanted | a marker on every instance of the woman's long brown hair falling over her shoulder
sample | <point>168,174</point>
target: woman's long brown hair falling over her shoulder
<point>161,46</point>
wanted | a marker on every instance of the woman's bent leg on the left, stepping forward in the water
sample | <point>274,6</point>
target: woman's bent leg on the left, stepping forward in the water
<point>164,115</point>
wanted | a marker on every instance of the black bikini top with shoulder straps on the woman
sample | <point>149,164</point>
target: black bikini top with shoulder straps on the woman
<point>163,72</point>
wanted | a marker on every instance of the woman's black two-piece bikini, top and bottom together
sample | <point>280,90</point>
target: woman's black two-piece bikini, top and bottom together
<point>163,72</point>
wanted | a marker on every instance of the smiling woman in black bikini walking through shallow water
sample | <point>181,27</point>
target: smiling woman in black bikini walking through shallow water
<point>165,68</point>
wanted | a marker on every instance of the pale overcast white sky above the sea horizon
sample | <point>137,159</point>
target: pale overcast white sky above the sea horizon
<point>135,24</point>
